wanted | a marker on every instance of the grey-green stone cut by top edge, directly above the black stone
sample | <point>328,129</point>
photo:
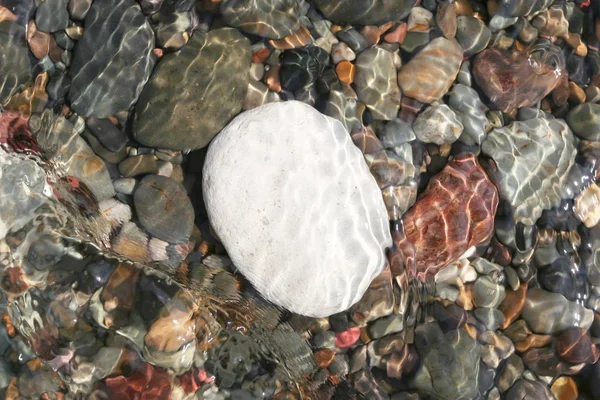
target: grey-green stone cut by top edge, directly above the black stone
<point>270,19</point>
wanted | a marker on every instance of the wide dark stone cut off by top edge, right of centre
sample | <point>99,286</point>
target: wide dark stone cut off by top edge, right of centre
<point>369,12</point>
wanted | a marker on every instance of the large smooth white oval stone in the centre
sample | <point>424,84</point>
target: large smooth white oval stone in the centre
<point>293,201</point>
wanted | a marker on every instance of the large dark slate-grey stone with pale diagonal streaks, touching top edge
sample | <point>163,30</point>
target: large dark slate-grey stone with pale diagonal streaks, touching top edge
<point>116,47</point>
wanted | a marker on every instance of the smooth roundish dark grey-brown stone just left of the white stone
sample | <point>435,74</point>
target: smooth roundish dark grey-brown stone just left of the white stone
<point>163,208</point>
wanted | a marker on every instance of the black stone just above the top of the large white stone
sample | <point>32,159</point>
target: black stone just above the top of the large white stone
<point>302,66</point>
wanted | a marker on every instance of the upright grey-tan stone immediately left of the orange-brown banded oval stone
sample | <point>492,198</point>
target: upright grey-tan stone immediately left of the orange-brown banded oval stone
<point>376,83</point>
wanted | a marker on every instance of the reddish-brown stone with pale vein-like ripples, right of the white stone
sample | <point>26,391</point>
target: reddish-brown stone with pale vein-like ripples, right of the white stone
<point>456,211</point>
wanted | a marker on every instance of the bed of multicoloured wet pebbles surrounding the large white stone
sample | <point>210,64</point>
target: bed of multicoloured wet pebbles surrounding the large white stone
<point>479,120</point>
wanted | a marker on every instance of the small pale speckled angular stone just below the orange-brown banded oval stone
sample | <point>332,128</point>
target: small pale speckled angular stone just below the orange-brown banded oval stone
<point>438,124</point>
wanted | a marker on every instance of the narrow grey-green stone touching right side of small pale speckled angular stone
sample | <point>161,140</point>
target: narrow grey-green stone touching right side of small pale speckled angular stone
<point>471,111</point>
